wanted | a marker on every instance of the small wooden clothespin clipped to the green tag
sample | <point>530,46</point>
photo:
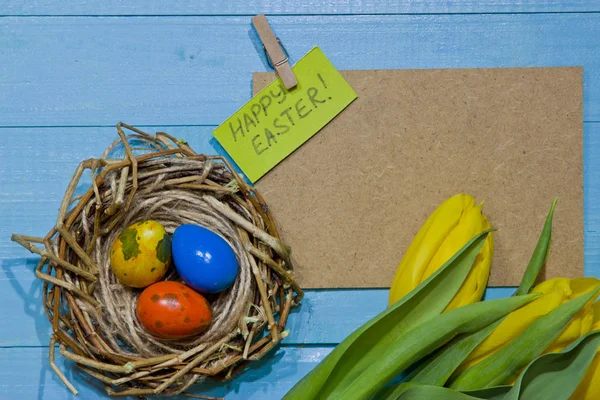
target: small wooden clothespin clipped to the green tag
<point>277,55</point>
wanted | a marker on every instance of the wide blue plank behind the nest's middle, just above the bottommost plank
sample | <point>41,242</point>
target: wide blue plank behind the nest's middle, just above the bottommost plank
<point>37,163</point>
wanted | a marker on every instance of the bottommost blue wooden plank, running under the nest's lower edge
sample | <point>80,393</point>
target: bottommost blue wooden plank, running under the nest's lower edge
<point>27,375</point>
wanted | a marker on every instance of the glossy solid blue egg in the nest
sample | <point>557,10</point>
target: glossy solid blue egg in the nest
<point>204,260</point>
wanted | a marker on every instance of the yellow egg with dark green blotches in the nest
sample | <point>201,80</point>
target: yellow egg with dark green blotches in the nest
<point>140,255</point>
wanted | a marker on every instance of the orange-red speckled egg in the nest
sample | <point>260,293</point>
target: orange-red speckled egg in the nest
<point>171,310</point>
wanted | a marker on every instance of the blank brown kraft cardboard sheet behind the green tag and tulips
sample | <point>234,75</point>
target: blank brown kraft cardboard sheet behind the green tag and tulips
<point>350,200</point>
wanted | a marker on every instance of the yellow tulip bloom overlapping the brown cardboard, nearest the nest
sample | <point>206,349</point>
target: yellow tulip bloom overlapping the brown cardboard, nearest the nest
<point>447,230</point>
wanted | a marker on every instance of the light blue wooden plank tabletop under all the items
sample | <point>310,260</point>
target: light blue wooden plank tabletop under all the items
<point>71,69</point>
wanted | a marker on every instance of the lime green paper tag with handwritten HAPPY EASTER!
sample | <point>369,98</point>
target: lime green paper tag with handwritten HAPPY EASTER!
<point>276,121</point>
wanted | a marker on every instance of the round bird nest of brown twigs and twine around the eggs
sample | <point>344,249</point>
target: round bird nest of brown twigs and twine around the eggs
<point>93,315</point>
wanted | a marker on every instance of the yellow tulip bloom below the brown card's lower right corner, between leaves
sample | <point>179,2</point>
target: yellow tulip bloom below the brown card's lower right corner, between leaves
<point>554,292</point>
